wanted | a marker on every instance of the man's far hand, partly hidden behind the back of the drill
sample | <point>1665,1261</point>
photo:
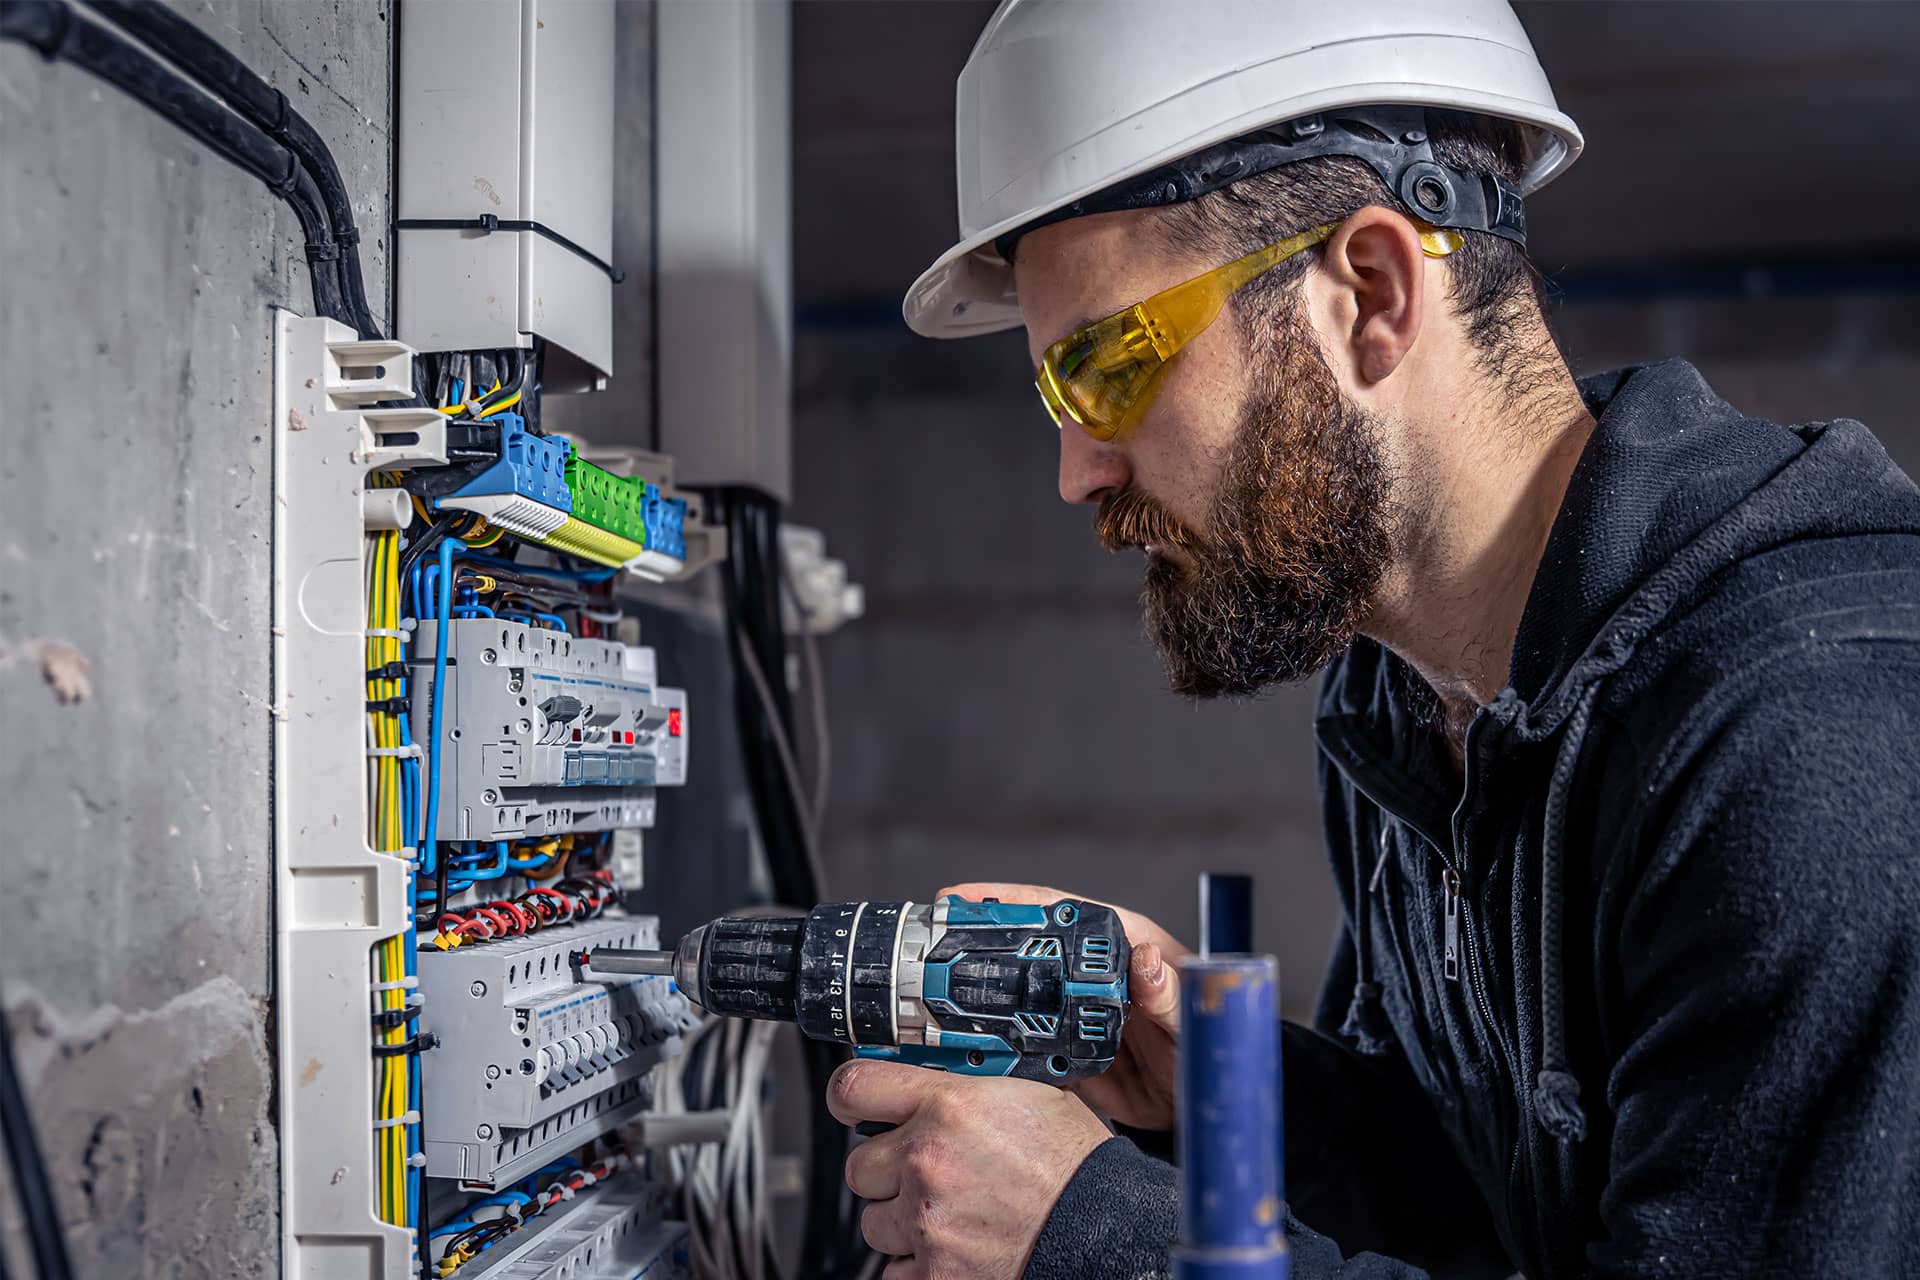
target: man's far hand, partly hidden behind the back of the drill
<point>1140,1087</point>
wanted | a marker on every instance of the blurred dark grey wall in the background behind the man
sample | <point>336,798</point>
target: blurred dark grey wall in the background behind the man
<point>999,715</point>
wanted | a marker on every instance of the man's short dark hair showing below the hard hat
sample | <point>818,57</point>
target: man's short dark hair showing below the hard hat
<point>1495,285</point>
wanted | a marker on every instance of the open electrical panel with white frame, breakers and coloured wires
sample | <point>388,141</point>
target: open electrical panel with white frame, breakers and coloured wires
<point>539,736</point>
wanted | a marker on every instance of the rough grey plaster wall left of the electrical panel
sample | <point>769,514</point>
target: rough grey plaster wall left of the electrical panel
<point>137,279</point>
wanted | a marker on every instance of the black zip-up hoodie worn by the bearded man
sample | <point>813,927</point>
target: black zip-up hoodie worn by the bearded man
<point>1679,1031</point>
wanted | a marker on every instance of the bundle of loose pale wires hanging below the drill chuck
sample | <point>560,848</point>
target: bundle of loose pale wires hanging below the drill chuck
<point>723,1189</point>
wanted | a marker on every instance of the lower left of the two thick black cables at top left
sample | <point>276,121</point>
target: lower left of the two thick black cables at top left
<point>53,30</point>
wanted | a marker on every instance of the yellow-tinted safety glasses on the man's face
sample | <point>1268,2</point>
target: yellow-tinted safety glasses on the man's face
<point>1103,377</point>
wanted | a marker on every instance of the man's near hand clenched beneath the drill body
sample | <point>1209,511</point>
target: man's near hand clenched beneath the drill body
<point>963,1187</point>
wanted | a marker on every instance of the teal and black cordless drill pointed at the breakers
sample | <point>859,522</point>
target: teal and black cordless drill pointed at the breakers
<point>972,987</point>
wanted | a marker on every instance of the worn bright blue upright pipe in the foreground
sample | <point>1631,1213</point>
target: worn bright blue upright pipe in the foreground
<point>1230,1122</point>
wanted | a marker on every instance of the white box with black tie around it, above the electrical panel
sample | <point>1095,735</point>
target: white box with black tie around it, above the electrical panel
<point>504,224</point>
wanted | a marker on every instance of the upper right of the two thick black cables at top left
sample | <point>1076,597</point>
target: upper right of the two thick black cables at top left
<point>268,108</point>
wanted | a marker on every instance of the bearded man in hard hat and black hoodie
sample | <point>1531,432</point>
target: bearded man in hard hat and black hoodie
<point>1621,719</point>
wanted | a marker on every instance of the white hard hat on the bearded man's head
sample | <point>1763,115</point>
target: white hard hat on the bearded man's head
<point>1067,99</point>
